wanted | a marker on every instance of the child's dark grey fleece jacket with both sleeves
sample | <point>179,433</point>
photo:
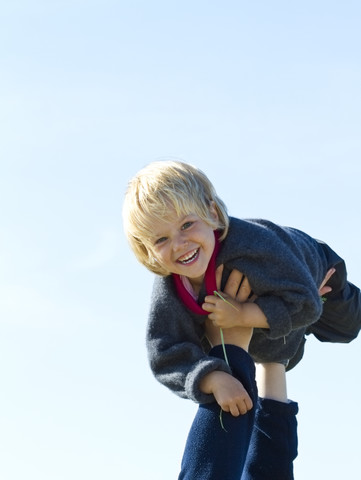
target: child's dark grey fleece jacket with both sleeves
<point>284,267</point>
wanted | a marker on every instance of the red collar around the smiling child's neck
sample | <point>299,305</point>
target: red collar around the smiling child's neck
<point>209,281</point>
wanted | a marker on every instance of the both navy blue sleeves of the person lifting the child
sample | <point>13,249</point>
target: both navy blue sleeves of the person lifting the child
<point>260,443</point>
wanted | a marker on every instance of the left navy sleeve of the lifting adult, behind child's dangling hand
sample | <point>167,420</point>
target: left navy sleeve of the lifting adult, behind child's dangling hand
<point>212,453</point>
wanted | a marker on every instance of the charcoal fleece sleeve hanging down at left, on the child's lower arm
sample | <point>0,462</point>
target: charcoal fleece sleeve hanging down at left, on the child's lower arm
<point>175,353</point>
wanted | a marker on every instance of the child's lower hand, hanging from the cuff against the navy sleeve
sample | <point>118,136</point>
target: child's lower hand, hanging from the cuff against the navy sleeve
<point>229,392</point>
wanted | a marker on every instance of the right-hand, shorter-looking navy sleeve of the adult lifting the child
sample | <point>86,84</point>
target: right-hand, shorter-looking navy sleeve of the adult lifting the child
<point>273,445</point>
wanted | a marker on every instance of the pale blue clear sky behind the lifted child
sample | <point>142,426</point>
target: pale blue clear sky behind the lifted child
<point>265,98</point>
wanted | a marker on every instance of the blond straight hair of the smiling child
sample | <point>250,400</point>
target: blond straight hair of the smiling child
<point>156,191</point>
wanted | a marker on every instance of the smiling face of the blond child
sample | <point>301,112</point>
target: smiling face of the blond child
<point>184,245</point>
